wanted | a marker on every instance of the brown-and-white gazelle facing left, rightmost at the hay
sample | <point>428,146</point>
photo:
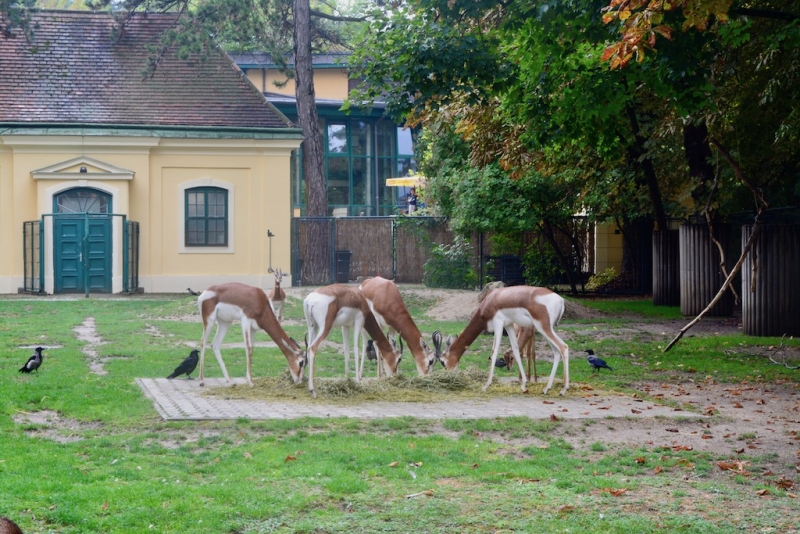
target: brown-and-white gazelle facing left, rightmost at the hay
<point>502,308</point>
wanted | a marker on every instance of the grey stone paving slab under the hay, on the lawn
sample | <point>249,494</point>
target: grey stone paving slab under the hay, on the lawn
<point>183,399</point>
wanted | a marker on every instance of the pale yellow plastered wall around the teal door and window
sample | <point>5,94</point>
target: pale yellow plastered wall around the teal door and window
<point>257,172</point>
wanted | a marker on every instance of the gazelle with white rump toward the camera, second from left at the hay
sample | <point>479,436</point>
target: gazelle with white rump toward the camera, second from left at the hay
<point>340,305</point>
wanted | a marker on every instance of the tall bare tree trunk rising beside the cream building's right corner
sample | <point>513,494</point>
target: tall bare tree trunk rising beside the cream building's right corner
<point>313,163</point>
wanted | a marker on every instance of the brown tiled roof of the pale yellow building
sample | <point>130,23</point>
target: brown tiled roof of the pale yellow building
<point>73,73</point>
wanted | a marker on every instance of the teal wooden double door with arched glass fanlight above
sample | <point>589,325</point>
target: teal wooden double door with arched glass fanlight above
<point>82,242</point>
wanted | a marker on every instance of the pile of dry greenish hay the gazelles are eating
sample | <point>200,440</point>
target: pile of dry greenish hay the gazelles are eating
<point>439,385</point>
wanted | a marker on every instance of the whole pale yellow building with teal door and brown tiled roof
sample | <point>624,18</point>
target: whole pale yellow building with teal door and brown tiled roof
<point>113,180</point>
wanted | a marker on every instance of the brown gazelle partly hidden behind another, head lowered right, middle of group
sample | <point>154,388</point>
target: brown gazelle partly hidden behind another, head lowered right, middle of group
<point>389,310</point>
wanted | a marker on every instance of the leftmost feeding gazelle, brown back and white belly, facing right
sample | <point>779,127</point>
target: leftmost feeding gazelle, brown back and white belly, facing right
<point>224,303</point>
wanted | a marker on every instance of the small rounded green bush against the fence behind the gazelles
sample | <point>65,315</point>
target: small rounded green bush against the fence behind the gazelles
<point>450,267</point>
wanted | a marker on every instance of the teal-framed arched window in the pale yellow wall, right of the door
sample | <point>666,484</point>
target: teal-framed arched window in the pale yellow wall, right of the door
<point>206,217</point>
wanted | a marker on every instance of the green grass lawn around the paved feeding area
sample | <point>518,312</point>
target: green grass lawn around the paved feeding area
<point>106,463</point>
